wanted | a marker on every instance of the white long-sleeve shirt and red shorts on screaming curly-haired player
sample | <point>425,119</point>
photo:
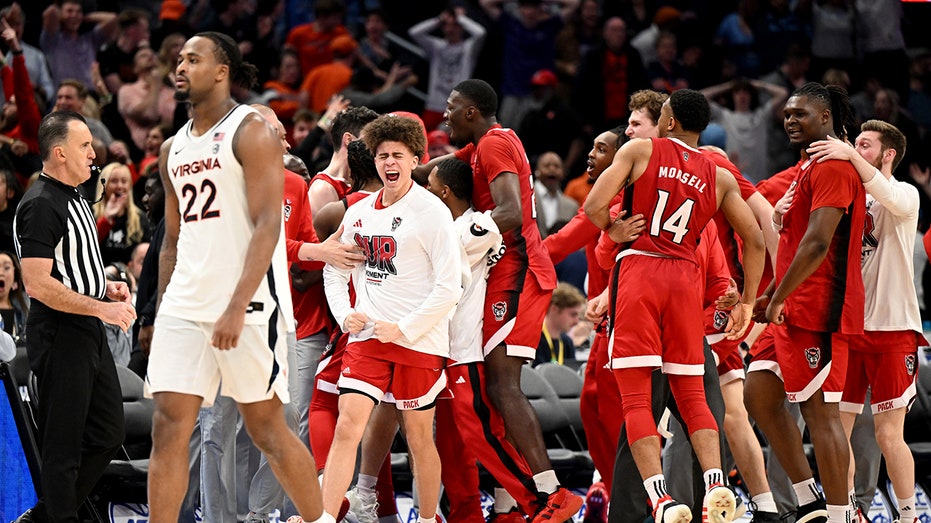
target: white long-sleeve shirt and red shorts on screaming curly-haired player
<point>412,276</point>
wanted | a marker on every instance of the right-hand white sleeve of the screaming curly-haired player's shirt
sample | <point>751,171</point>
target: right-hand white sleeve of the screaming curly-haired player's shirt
<point>439,240</point>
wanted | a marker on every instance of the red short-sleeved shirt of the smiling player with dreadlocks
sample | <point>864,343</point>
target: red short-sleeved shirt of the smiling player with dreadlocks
<point>831,299</point>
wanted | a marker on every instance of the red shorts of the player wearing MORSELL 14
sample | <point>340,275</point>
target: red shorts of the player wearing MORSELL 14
<point>658,318</point>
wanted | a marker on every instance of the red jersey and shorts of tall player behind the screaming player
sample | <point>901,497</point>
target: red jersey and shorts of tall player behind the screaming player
<point>521,283</point>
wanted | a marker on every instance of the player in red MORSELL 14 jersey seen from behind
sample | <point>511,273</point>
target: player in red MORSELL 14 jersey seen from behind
<point>680,191</point>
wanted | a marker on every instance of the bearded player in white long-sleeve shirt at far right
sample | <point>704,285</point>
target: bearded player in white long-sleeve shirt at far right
<point>884,359</point>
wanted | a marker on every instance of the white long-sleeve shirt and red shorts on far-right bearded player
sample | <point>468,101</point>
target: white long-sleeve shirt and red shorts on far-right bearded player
<point>885,357</point>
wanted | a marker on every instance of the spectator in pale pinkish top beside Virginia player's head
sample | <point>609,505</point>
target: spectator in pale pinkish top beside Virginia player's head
<point>148,101</point>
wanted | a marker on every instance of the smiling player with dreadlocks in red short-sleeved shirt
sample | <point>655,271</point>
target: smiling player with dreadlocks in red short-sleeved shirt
<point>817,297</point>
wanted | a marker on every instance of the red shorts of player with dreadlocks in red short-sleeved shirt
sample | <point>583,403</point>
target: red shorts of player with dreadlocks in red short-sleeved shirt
<point>811,361</point>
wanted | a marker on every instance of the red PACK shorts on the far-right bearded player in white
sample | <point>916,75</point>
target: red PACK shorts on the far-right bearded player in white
<point>887,364</point>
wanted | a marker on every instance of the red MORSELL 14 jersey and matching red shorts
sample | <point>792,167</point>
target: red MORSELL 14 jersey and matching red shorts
<point>661,324</point>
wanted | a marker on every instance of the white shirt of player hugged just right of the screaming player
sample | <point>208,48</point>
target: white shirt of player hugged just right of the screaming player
<point>481,240</point>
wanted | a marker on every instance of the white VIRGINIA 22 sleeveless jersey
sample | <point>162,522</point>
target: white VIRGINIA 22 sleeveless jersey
<point>216,230</point>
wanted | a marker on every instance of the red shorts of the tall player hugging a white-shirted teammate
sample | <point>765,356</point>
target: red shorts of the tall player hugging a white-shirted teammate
<point>515,319</point>
